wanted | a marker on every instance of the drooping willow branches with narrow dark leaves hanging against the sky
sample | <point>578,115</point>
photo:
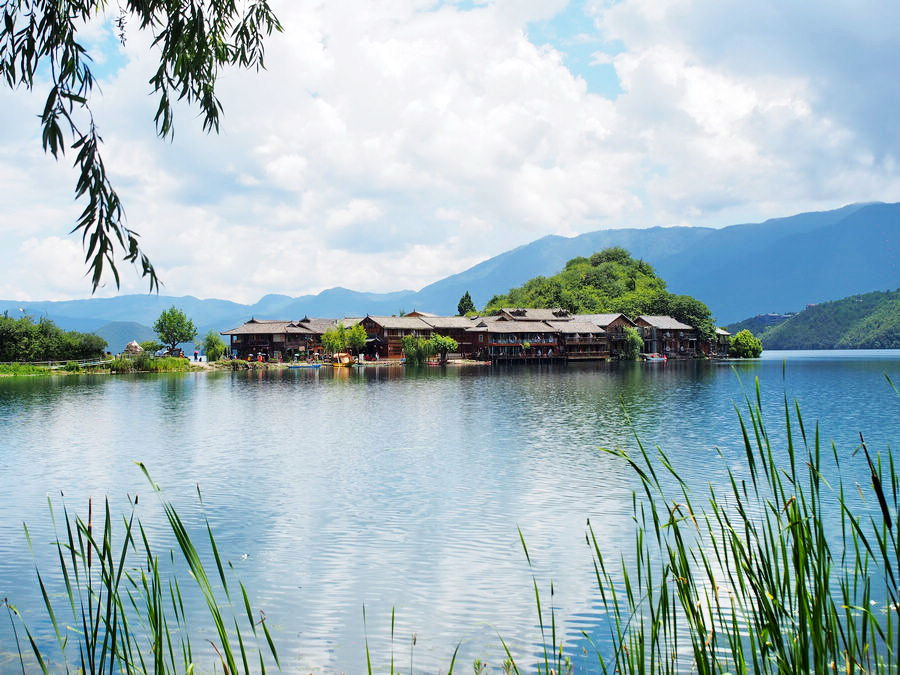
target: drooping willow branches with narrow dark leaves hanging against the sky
<point>194,40</point>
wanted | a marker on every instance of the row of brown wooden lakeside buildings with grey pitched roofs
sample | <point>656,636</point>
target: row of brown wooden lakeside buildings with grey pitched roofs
<point>512,335</point>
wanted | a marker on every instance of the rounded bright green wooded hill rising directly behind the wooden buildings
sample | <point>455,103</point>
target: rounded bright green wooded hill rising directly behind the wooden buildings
<point>608,281</point>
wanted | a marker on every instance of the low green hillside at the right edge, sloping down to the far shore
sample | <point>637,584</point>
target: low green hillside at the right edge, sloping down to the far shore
<point>869,321</point>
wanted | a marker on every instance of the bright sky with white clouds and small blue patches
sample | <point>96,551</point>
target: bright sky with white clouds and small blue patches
<point>389,144</point>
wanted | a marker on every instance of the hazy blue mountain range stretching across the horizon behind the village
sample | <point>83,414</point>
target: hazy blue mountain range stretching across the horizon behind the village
<point>742,270</point>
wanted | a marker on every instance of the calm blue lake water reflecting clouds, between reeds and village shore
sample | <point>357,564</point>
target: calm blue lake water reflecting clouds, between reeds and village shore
<point>331,491</point>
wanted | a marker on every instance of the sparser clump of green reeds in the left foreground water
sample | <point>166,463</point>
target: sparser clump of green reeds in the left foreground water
<point>122,614</point>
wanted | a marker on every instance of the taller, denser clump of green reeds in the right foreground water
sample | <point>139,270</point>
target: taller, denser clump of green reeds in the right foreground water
<point>748,577</point>
